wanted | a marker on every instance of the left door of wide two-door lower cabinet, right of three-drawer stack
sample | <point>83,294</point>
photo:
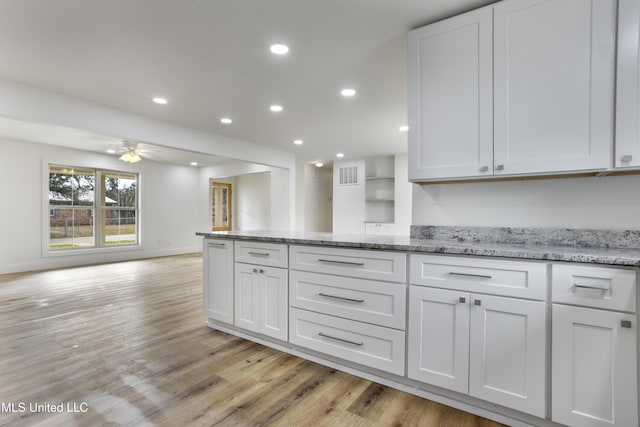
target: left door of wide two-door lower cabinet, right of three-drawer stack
<point>439,337</point>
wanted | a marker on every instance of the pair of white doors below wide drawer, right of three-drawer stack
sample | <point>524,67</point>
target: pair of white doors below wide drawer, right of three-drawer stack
<point>490,347</point>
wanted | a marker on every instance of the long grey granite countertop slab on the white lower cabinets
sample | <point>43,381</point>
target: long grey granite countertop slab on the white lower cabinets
<point>589,255</point>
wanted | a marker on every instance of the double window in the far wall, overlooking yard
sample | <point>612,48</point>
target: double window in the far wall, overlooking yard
<point>79,219</point>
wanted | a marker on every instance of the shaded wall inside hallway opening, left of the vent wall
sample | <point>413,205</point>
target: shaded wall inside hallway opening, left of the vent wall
<point>318,196</point>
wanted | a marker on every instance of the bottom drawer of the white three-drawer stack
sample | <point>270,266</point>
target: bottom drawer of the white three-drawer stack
<point>373,346</point>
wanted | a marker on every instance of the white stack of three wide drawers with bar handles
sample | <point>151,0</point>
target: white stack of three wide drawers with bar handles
<point>349,303</point>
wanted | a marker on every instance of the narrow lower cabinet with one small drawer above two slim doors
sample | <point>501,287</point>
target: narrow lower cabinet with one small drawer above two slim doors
<point>261,291</point>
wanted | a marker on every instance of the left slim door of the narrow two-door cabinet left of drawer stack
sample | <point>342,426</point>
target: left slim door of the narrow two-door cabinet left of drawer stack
<point>247,285</point>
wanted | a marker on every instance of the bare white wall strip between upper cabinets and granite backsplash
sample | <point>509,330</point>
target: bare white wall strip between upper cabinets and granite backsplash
<point>610,202</point>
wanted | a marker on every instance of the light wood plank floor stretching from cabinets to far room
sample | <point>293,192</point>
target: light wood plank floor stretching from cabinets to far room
<point>127,344</point>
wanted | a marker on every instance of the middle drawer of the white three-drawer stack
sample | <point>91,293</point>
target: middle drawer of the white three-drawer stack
<point>380,303</point>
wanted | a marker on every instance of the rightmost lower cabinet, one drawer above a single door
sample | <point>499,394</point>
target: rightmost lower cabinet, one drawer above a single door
<point>594,346</point>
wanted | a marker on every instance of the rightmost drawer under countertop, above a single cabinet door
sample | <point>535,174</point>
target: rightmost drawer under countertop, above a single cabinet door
<point>598,287</point>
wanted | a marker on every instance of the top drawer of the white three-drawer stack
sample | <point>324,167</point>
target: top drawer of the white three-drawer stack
<point>390,266</point>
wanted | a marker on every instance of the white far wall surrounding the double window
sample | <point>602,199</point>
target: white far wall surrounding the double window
<point>169,206</point>
